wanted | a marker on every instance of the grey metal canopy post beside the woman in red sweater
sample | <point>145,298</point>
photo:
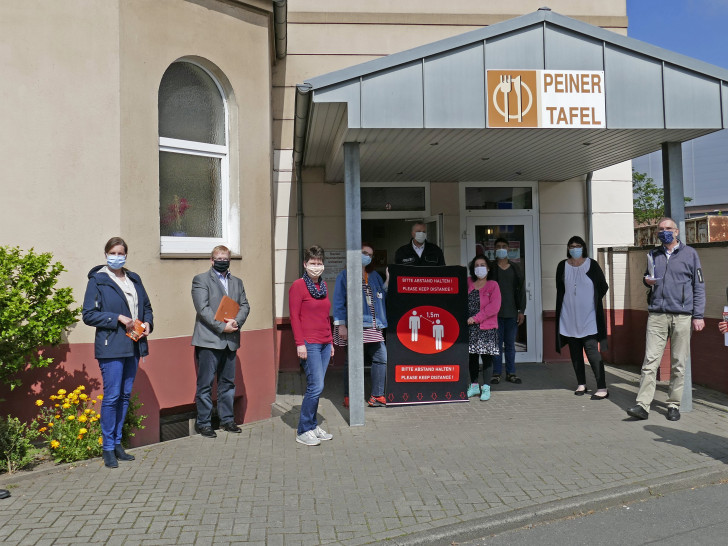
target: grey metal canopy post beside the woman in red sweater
<point>354,307</point>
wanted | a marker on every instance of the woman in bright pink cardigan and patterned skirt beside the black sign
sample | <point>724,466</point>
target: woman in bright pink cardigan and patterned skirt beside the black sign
<point>483,306</point>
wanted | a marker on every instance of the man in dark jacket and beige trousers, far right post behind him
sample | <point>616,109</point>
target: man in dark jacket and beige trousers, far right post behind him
<point>676,303</point>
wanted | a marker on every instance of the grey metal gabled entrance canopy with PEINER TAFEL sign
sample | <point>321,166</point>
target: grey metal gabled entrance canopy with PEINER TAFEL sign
<point>538,97</point>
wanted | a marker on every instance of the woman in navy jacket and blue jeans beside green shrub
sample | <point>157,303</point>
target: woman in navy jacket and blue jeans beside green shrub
<point>115,298</point>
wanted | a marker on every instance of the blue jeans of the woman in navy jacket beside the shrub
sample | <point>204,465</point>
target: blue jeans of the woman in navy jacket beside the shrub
<point>118,376</point>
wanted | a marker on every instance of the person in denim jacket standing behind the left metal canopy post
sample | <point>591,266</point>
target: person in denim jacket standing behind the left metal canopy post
<point>374,293</point>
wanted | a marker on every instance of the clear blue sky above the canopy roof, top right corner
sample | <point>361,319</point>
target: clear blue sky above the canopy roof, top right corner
<point>697,28</point>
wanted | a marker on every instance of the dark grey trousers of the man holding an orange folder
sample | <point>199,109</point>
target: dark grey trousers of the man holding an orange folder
<point>211,362</point>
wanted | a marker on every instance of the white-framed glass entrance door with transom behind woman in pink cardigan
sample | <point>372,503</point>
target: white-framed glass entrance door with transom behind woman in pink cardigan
<point>481,233</point>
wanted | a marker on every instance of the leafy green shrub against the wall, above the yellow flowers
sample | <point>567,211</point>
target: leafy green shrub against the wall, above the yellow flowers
<point>33,312</point>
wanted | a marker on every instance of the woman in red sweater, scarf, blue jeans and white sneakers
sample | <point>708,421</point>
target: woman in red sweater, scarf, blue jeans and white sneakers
<point>309,306</point>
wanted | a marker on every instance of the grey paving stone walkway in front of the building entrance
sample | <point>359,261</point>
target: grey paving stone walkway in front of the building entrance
<point>415,474</point>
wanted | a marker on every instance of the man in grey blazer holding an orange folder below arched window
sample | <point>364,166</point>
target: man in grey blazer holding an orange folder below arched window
<point>215,342</point>
